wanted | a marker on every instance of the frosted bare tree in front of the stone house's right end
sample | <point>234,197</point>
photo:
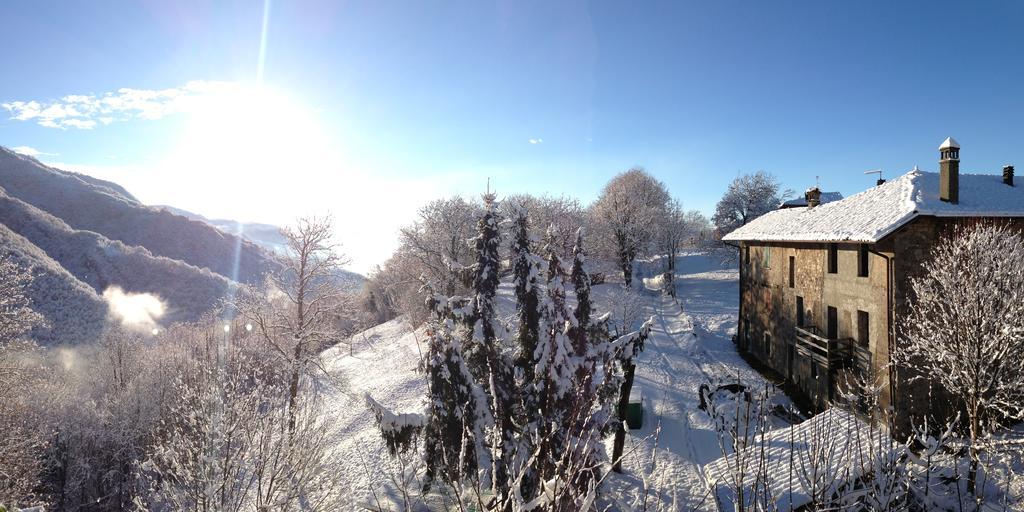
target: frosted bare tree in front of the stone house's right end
<point>965,330</point>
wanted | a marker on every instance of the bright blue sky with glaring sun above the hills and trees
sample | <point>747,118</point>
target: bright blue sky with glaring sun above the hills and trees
<point>386,105</point>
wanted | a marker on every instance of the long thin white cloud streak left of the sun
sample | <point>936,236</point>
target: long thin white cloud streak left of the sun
<point>84,112</point>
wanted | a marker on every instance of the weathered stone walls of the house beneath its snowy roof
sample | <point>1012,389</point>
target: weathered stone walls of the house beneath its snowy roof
<point>769,307</point>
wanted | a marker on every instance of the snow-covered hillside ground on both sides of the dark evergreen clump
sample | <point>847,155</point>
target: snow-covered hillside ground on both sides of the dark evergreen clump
<point>691,345</point>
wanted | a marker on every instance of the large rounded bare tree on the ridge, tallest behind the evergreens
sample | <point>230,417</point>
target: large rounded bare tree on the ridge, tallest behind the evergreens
<point>625,217</point>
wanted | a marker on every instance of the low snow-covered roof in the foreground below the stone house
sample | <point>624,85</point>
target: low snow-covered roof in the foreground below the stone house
<point>803,462</point>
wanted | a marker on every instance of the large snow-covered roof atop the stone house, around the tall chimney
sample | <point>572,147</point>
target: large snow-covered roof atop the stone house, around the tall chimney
<point>873,215</point>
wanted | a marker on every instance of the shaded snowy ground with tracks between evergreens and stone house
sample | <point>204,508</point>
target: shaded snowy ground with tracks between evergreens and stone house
<point>691,345</point>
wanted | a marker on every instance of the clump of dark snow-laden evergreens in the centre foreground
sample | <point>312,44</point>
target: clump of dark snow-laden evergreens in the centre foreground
<point>513,418</point>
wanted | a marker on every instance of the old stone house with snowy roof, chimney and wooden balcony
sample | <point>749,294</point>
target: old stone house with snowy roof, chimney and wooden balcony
<point>824,287</point>
